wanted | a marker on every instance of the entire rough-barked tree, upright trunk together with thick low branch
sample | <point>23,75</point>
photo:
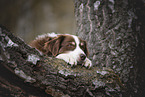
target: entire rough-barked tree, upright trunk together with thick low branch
<point>114,30</point>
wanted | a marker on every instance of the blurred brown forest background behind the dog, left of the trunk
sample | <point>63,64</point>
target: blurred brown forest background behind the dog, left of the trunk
<point>29,18</point>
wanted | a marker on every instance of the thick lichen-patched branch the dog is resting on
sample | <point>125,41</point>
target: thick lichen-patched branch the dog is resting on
<point>49,75</point>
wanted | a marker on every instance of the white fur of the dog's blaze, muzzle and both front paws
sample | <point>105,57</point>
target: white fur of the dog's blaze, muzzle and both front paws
<point>72,57</point>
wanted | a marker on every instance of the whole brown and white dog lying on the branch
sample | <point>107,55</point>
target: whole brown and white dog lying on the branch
<point>69,48</point>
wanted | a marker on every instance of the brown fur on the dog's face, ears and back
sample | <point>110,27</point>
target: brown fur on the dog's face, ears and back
<point>57,45</point>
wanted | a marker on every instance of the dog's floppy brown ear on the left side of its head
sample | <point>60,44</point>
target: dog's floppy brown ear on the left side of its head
<point>53,45</point>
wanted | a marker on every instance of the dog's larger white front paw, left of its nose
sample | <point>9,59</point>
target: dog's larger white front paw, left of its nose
<point>72,61</point>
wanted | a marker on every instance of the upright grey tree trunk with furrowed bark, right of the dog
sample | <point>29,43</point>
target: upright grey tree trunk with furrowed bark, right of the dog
<point>115,30</point>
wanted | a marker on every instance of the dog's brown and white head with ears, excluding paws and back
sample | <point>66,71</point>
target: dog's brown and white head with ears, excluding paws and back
<point>67,44</point>
